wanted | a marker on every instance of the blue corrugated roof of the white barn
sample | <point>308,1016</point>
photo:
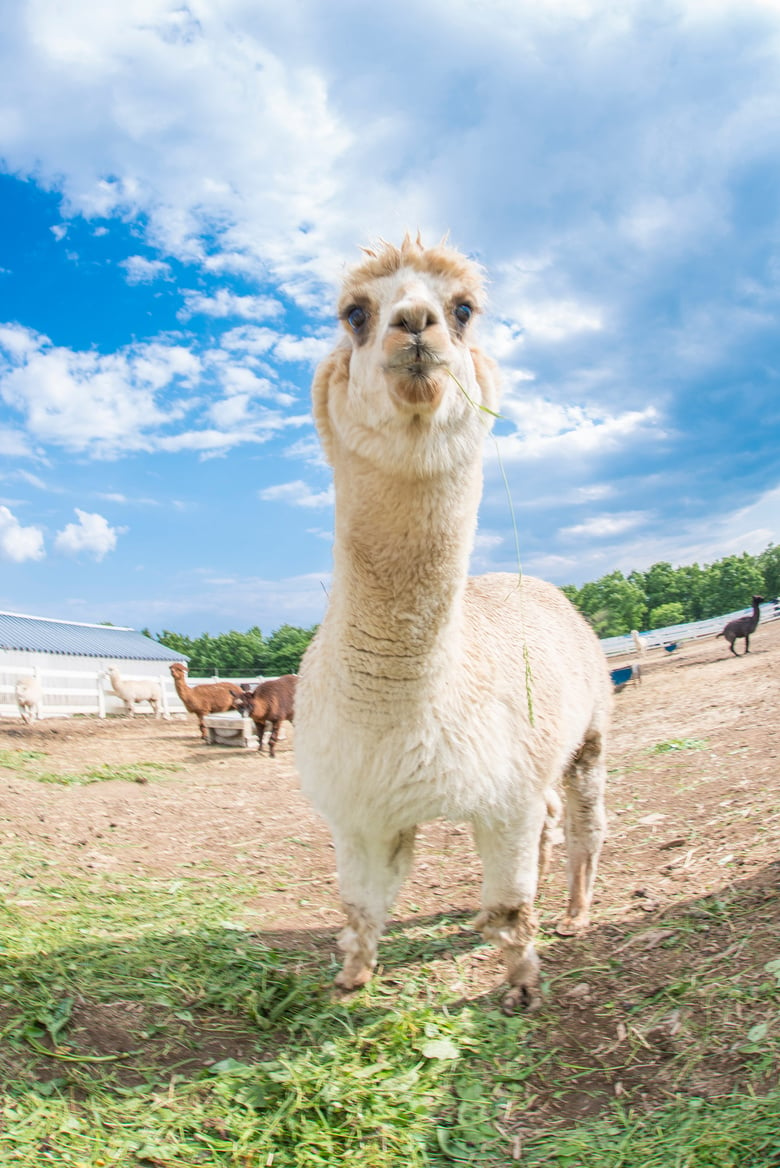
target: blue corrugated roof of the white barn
<point>43,635</point>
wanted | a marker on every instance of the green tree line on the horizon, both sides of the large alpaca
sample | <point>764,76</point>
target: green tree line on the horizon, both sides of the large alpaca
<point>614,604</point>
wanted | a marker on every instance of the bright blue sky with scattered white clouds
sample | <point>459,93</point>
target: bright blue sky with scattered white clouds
<point>182,187</point>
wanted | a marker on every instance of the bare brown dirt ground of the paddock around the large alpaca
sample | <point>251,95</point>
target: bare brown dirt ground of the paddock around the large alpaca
<point>694,811</point>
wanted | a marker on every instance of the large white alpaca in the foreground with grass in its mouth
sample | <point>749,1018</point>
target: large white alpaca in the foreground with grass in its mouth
<point>415,698</point>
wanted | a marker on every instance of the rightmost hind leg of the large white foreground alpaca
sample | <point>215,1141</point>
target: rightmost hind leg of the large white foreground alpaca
<point>586,825</point>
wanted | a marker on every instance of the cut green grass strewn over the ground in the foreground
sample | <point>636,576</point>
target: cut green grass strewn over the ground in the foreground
<point>144,1025</point>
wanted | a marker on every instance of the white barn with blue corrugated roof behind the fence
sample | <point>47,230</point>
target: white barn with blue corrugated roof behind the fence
<point>71,661</point>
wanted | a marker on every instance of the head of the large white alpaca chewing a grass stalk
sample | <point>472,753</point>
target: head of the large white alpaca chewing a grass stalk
<point>406,386</point>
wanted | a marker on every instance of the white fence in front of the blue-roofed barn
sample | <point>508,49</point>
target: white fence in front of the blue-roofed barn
<point>67,692</point>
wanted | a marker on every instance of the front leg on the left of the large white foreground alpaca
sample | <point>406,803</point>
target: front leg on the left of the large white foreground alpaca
<point>372,870</point>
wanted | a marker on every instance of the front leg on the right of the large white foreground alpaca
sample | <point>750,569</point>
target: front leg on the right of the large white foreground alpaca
<point>511,858</point>
